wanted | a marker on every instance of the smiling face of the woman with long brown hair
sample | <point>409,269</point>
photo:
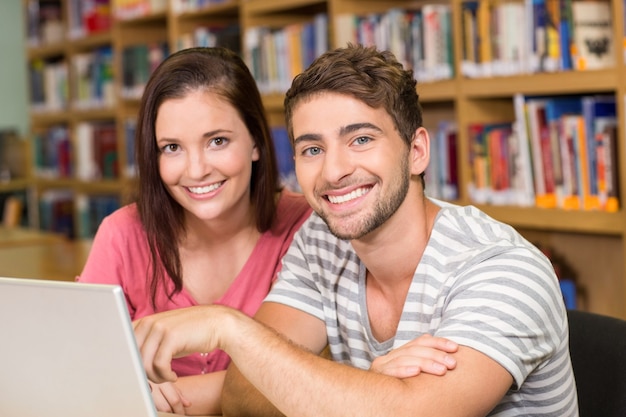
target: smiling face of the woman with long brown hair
<point>206,155</point>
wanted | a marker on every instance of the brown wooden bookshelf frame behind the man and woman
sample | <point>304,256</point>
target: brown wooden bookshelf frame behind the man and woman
<point>594,242</point>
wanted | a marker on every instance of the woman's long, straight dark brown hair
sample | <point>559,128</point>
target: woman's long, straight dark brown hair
<point>218,71</point>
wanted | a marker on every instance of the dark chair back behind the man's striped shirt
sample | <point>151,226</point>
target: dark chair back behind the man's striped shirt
<point>598,351</point>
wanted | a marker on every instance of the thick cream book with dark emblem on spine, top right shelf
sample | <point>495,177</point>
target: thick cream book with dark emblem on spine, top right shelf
<point>594,43</point>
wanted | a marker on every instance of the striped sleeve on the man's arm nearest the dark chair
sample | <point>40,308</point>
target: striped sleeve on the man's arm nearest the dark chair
<point>508,311</point>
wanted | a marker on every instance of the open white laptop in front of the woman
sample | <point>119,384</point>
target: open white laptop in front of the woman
<point>68,350</point>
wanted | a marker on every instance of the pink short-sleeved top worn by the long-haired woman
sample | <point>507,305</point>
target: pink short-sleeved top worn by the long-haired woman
<point>120,255</point>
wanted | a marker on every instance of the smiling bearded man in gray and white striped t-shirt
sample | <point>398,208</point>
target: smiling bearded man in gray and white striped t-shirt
<point>377,269</point>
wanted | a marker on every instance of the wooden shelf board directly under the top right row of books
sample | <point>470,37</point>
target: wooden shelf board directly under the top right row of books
<point>574,82</point>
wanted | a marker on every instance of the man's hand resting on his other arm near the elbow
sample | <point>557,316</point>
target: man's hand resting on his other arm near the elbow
<point>426,354</point>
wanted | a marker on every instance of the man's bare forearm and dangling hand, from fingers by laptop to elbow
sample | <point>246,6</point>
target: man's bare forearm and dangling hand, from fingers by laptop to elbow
<point>300,383</point>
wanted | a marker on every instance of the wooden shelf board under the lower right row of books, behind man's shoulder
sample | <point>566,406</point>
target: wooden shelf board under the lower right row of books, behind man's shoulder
<point>587,222</point>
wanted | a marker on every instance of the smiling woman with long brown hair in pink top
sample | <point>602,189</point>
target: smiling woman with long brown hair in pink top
<point>211,221</point>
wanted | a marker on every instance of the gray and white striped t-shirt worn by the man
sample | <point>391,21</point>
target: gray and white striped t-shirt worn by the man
<point>478,283</point>
